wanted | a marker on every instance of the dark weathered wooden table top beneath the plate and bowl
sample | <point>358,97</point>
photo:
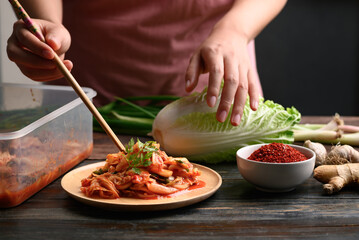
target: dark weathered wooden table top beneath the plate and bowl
<point>236,210</point>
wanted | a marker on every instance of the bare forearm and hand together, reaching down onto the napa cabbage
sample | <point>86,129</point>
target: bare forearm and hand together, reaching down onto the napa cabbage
<point>225,56</point>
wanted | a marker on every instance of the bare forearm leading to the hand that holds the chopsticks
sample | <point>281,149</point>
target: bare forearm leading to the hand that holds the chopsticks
<point>50,10</point>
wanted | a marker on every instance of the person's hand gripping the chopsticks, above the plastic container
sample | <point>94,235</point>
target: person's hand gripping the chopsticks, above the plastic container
<point>34,57</point>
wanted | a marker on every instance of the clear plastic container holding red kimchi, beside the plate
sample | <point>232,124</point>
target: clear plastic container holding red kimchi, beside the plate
<point>44,132</point>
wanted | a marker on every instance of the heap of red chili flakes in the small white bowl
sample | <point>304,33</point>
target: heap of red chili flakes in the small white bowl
<point>277,153</point>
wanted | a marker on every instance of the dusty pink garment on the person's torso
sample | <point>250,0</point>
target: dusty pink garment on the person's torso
<point>138,47</point>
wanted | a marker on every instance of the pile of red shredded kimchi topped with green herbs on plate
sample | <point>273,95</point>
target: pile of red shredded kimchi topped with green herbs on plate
<point>143,171</point>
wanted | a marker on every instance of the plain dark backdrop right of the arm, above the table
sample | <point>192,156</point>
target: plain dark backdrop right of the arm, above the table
<point>308,57</point>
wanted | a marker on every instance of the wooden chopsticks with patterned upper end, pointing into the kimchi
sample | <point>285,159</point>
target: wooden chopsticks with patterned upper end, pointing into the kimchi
<point>21,13</point>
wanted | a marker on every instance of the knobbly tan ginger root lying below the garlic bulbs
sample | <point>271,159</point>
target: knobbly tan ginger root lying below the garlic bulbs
<point>335,177</point>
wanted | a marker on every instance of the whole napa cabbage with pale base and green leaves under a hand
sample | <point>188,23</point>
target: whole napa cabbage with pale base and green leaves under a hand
<point>188,127</point>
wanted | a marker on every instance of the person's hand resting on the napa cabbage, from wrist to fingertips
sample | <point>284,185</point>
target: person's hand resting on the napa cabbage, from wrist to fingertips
<point>224,55</point>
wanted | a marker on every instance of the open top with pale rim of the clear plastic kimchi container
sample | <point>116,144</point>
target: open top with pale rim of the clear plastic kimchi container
<point>25,107</point>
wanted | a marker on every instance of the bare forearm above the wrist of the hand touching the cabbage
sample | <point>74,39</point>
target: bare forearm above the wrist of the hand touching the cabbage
<point>249,17</point>
